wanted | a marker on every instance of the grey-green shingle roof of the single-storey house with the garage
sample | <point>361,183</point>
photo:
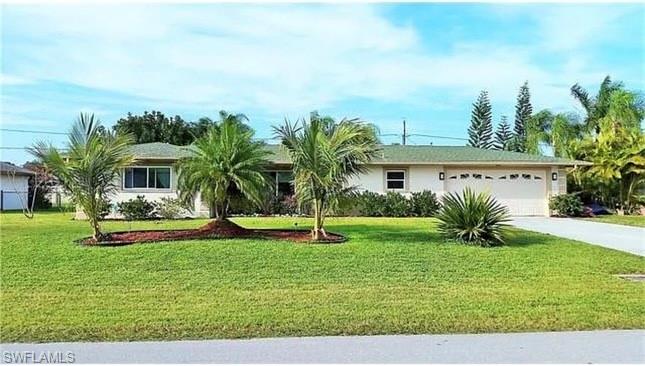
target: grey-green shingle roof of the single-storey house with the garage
<point>389,155</point>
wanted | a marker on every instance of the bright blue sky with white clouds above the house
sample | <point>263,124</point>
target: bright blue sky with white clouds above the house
<point>380,62</point>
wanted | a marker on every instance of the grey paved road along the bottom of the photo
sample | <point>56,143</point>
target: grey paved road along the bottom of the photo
<point>620,346</point>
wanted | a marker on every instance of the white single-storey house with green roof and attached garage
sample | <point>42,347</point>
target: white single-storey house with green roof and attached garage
<point>522,182</point>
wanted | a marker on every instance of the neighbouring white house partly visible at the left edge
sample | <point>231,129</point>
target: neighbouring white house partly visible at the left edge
<point>14,186</point>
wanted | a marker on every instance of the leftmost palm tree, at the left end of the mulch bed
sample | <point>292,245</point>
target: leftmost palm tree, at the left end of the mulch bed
<point>90,167</point>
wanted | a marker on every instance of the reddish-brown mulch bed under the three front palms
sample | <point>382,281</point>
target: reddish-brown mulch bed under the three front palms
<point>213,230</point>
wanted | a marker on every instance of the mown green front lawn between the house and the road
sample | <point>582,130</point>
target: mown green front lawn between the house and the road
<point>392,276</point>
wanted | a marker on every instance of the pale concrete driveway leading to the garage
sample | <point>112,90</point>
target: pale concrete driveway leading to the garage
<point>620,237</point>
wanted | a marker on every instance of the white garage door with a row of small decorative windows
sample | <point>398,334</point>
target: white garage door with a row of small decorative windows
<point>523,191</point>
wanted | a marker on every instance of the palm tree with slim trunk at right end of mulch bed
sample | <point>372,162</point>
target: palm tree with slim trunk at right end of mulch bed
<point>325,154</point>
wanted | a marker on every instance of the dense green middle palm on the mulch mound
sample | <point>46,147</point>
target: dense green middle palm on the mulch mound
<point>225,158</point>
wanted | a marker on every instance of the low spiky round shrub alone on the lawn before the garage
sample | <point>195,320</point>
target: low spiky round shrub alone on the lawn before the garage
<point>472,218</point>
